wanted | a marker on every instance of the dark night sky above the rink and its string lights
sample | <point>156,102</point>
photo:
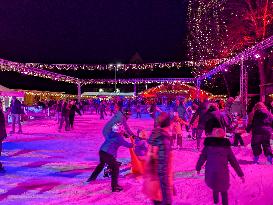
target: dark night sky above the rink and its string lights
<point>88,32</point>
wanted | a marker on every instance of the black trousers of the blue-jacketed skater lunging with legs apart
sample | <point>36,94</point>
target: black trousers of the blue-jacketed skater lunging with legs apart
<point>113,165</point>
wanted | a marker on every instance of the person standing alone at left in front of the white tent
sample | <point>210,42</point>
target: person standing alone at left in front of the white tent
<point>16,111</point>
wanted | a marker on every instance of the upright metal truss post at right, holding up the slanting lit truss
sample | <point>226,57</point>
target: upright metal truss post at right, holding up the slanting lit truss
<point>243,87</point>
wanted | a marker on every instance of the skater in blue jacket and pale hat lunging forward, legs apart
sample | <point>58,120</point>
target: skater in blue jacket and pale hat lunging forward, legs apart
<point>108,153</point>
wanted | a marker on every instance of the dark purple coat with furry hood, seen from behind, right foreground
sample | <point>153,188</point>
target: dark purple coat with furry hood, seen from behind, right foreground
<point>217,154</point>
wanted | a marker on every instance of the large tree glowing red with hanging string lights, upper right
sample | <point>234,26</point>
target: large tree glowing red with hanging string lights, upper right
<point>221,28</point>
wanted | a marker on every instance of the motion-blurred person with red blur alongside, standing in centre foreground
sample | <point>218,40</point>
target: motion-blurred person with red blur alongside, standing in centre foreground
<point>159,163</point>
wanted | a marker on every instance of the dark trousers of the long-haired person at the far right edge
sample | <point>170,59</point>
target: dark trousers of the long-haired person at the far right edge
<point>259,141</point>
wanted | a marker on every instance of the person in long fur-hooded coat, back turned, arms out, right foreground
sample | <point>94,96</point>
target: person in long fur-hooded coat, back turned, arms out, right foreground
<point>217,154</point>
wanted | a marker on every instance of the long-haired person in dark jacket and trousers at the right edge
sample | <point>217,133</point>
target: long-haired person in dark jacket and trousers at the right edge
<point>261,124</point>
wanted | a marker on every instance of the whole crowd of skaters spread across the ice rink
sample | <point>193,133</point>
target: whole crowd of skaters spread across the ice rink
<point>173,122</point>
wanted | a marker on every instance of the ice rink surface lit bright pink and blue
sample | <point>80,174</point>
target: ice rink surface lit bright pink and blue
<point>44,166</point>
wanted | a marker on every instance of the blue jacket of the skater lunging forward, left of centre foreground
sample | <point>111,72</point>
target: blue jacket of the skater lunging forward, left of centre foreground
<point>113,142</point>
